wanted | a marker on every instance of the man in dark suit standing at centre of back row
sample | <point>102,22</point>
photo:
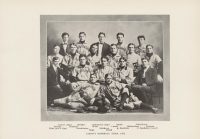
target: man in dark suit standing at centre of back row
<point>103,48</point>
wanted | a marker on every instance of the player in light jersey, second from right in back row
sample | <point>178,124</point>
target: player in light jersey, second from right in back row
<point>120,44</point>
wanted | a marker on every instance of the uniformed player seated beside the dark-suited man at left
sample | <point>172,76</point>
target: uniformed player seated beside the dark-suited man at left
<point>83,71</point>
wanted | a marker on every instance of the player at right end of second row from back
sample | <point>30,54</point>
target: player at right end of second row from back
<point>155,61</point>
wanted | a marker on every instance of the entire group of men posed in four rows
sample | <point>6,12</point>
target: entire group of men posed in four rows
<point>101,77</point>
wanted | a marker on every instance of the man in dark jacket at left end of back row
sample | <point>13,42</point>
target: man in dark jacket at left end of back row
<point>64,46</point>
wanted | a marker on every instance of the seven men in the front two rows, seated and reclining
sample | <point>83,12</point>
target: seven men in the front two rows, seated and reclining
<point>102,87</point>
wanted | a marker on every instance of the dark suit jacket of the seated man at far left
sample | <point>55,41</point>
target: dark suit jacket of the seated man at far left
<point>53,78</point>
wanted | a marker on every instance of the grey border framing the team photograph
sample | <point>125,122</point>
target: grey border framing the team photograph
<point>62,116</point>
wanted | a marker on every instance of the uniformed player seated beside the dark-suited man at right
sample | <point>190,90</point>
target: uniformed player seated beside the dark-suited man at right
<point>123,74</point>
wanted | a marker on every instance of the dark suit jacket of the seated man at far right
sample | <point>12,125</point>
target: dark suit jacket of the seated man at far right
<point>150,77</point>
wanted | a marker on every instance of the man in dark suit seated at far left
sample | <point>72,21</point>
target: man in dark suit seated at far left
<point>54,81</point>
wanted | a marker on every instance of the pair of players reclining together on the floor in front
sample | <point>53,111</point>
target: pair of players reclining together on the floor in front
<point>90,96</point>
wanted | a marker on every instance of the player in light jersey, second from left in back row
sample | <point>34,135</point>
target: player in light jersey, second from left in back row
<point>82,46</point>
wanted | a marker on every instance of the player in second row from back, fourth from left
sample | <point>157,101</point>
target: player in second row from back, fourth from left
<point>114,56</point>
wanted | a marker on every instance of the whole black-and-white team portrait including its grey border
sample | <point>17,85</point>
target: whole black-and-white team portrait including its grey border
<point>105,67</point>
